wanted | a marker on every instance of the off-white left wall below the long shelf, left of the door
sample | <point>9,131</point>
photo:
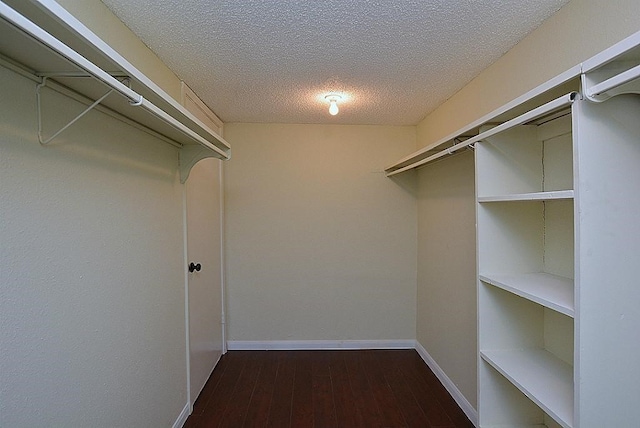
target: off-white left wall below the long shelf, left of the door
<point>92,326</point>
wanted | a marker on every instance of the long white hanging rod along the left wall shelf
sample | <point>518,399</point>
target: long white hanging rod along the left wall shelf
<point>73,57</point>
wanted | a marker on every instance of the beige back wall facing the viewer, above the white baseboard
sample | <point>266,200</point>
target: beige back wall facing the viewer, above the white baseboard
<point>320,245</point>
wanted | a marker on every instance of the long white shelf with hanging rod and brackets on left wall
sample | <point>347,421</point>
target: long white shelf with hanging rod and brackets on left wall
<point>41,40</point>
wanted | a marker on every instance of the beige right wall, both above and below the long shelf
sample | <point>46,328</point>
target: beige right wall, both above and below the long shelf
<point>446,203</point>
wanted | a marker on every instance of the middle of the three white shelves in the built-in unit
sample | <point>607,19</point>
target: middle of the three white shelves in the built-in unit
<point>551,291</point>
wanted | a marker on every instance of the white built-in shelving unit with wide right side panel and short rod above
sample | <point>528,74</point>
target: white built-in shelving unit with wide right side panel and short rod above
<point>558,250</point>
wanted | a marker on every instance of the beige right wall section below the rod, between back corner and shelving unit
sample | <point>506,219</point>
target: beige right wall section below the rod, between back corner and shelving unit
<point>446,295</point>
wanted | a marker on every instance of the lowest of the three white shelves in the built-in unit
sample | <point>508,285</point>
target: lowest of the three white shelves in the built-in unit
<point>542,377</point>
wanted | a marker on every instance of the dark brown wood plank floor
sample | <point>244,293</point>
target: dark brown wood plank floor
<point>323,389</point>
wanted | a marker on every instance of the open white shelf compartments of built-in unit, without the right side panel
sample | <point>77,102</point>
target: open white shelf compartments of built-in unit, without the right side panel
<point>526,269</point>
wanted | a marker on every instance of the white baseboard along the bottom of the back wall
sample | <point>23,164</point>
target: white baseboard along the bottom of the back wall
<point>294,345</point>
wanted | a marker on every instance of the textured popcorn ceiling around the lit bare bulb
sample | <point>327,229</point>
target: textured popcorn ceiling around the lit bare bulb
<point>272,61</point>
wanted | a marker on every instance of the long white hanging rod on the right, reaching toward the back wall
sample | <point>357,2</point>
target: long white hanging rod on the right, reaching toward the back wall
<point>536,113</point>
